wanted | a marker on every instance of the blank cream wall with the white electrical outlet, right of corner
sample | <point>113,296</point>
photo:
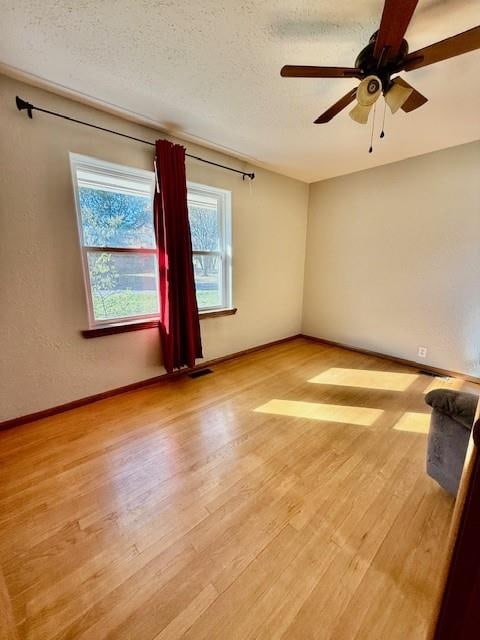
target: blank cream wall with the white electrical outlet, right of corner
<point>393,259</point>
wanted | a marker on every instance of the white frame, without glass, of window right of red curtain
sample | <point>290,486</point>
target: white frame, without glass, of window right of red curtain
<point>224,212</point>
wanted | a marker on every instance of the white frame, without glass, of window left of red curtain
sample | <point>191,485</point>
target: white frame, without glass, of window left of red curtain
<point>110,169</point>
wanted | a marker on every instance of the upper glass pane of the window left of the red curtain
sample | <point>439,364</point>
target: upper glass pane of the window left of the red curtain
<point>115,218</point>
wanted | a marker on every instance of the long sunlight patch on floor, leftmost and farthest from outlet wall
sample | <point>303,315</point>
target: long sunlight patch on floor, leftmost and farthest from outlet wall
<point>361,416</point>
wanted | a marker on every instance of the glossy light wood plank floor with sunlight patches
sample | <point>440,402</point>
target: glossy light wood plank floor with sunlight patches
<point>250,503</point>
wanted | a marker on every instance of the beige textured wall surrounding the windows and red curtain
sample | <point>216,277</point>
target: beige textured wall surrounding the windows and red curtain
<point>44,359</point>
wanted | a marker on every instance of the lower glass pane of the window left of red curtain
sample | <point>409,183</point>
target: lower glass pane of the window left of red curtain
<point>122,284</point>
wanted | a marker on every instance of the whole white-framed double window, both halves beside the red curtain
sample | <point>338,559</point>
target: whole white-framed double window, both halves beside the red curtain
<point>117,238</point>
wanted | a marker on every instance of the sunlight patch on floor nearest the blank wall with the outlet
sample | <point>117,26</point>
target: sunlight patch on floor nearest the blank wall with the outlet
<point>385,380</point>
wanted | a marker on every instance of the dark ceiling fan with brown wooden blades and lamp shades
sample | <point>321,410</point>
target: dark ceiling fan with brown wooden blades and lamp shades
<point>386,55</point>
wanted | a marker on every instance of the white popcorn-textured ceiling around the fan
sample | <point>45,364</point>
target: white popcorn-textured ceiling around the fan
<point>211,68</point>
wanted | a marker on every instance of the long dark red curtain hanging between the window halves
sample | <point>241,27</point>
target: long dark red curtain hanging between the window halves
<point>179,322</point>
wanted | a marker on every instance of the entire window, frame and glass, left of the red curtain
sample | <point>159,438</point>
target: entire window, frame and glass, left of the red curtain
<point>115,219</point>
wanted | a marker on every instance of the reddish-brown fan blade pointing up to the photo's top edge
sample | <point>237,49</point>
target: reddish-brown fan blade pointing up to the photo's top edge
<point>396,17</point>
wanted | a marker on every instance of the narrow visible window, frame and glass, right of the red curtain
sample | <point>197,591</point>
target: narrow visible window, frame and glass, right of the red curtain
<point>209,212</point>
